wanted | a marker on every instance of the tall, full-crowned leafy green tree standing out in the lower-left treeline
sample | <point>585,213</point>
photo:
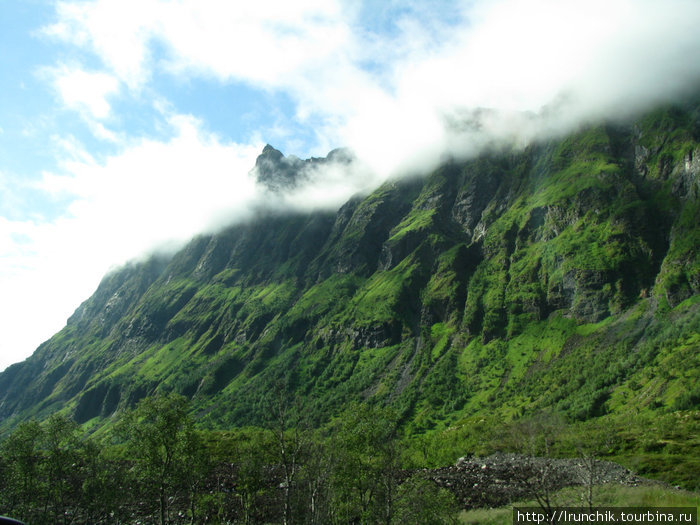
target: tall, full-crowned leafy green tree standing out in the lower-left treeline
<point>161,439</point>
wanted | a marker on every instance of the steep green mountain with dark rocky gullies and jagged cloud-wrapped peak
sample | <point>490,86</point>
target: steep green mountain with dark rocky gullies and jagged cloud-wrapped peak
<point>565,275</point>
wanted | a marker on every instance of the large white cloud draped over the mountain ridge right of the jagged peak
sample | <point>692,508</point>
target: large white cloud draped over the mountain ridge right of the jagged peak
<point>561,63</point>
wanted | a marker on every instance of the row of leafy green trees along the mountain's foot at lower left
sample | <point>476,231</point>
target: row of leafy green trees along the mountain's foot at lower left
<point>156,467</point>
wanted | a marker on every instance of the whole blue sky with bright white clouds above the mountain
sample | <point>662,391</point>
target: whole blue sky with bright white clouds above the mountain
<point>127,125</point>
